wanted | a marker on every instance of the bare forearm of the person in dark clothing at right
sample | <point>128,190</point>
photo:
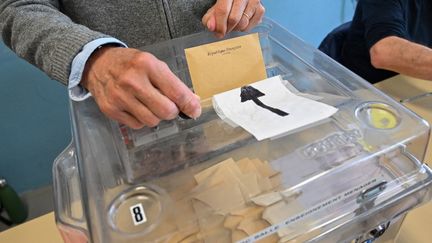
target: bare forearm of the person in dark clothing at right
<point>402,56</point>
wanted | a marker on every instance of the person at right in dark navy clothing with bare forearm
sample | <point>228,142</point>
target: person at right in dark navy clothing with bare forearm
<point>389,37</point>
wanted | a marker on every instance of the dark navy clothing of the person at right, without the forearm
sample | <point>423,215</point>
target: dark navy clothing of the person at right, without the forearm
<point>376,19</point>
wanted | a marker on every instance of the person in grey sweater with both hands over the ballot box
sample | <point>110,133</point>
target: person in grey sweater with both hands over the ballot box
<point>73,41</point>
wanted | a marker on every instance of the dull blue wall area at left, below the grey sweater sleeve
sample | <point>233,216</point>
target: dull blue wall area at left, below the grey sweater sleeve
<point>34,122</point>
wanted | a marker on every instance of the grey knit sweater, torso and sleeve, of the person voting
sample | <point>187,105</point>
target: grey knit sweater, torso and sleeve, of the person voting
<point>49,33</point>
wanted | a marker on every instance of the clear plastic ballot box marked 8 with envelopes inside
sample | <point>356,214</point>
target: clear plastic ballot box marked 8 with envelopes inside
<point>205,180</point>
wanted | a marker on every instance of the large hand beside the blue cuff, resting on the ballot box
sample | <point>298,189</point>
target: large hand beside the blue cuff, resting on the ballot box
<point>135,88</point>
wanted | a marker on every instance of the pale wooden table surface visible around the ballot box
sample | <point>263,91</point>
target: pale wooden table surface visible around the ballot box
<point>416,228</point>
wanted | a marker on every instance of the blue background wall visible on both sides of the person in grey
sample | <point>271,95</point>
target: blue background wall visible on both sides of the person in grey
<point>34,122</point>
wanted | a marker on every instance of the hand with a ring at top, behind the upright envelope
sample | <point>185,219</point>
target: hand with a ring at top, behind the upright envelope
<point>228,15</point>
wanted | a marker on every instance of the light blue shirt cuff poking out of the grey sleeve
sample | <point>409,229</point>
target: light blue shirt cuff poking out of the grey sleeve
<point>76,91</point>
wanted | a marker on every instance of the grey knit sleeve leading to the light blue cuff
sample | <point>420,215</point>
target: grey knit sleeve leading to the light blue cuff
<point>37,31</point>
